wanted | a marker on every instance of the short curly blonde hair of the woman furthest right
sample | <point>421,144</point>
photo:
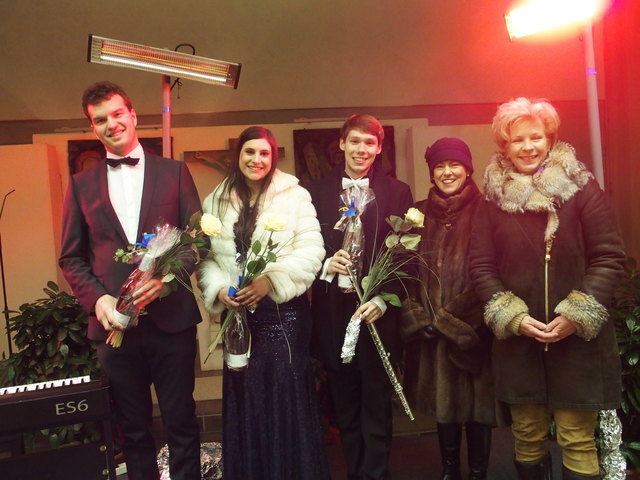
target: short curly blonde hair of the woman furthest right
<point>524,108</point>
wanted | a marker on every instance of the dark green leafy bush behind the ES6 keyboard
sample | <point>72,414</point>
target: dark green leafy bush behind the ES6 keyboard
<point>51,335</point>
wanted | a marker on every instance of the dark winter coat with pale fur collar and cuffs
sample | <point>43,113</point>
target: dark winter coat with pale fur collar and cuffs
<point>561,207</point>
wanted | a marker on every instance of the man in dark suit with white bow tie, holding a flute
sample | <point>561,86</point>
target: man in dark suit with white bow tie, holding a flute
<point>361,390</point>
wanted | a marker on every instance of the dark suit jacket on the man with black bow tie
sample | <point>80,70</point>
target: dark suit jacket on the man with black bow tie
<point>91,233</point>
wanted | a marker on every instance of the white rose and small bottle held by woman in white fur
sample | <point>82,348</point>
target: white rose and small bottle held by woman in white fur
<point>234,329</point>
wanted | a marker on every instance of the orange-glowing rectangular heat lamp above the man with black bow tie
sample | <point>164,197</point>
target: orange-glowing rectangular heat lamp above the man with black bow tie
<point>177,64</point>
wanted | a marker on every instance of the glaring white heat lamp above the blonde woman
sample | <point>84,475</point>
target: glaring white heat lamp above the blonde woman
<point>541,15</point>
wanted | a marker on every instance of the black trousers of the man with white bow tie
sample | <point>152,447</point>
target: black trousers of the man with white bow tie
<point>361,394</point>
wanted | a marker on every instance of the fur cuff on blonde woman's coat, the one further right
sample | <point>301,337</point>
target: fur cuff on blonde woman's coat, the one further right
<point>585,312</point>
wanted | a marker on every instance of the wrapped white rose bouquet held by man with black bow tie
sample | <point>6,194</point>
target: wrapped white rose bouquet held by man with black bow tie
<point>161,253</point>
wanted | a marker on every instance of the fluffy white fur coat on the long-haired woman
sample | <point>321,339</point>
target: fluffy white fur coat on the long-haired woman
<point>301,246</point>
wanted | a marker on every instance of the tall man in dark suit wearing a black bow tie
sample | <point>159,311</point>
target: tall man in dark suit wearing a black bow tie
<point>106,208</point>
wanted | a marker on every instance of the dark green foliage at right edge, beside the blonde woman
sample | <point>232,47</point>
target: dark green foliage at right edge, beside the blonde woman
<point>626,314</point>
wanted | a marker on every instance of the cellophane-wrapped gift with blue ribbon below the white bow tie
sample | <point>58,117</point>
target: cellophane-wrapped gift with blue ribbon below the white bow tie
<point>354,201</point>
